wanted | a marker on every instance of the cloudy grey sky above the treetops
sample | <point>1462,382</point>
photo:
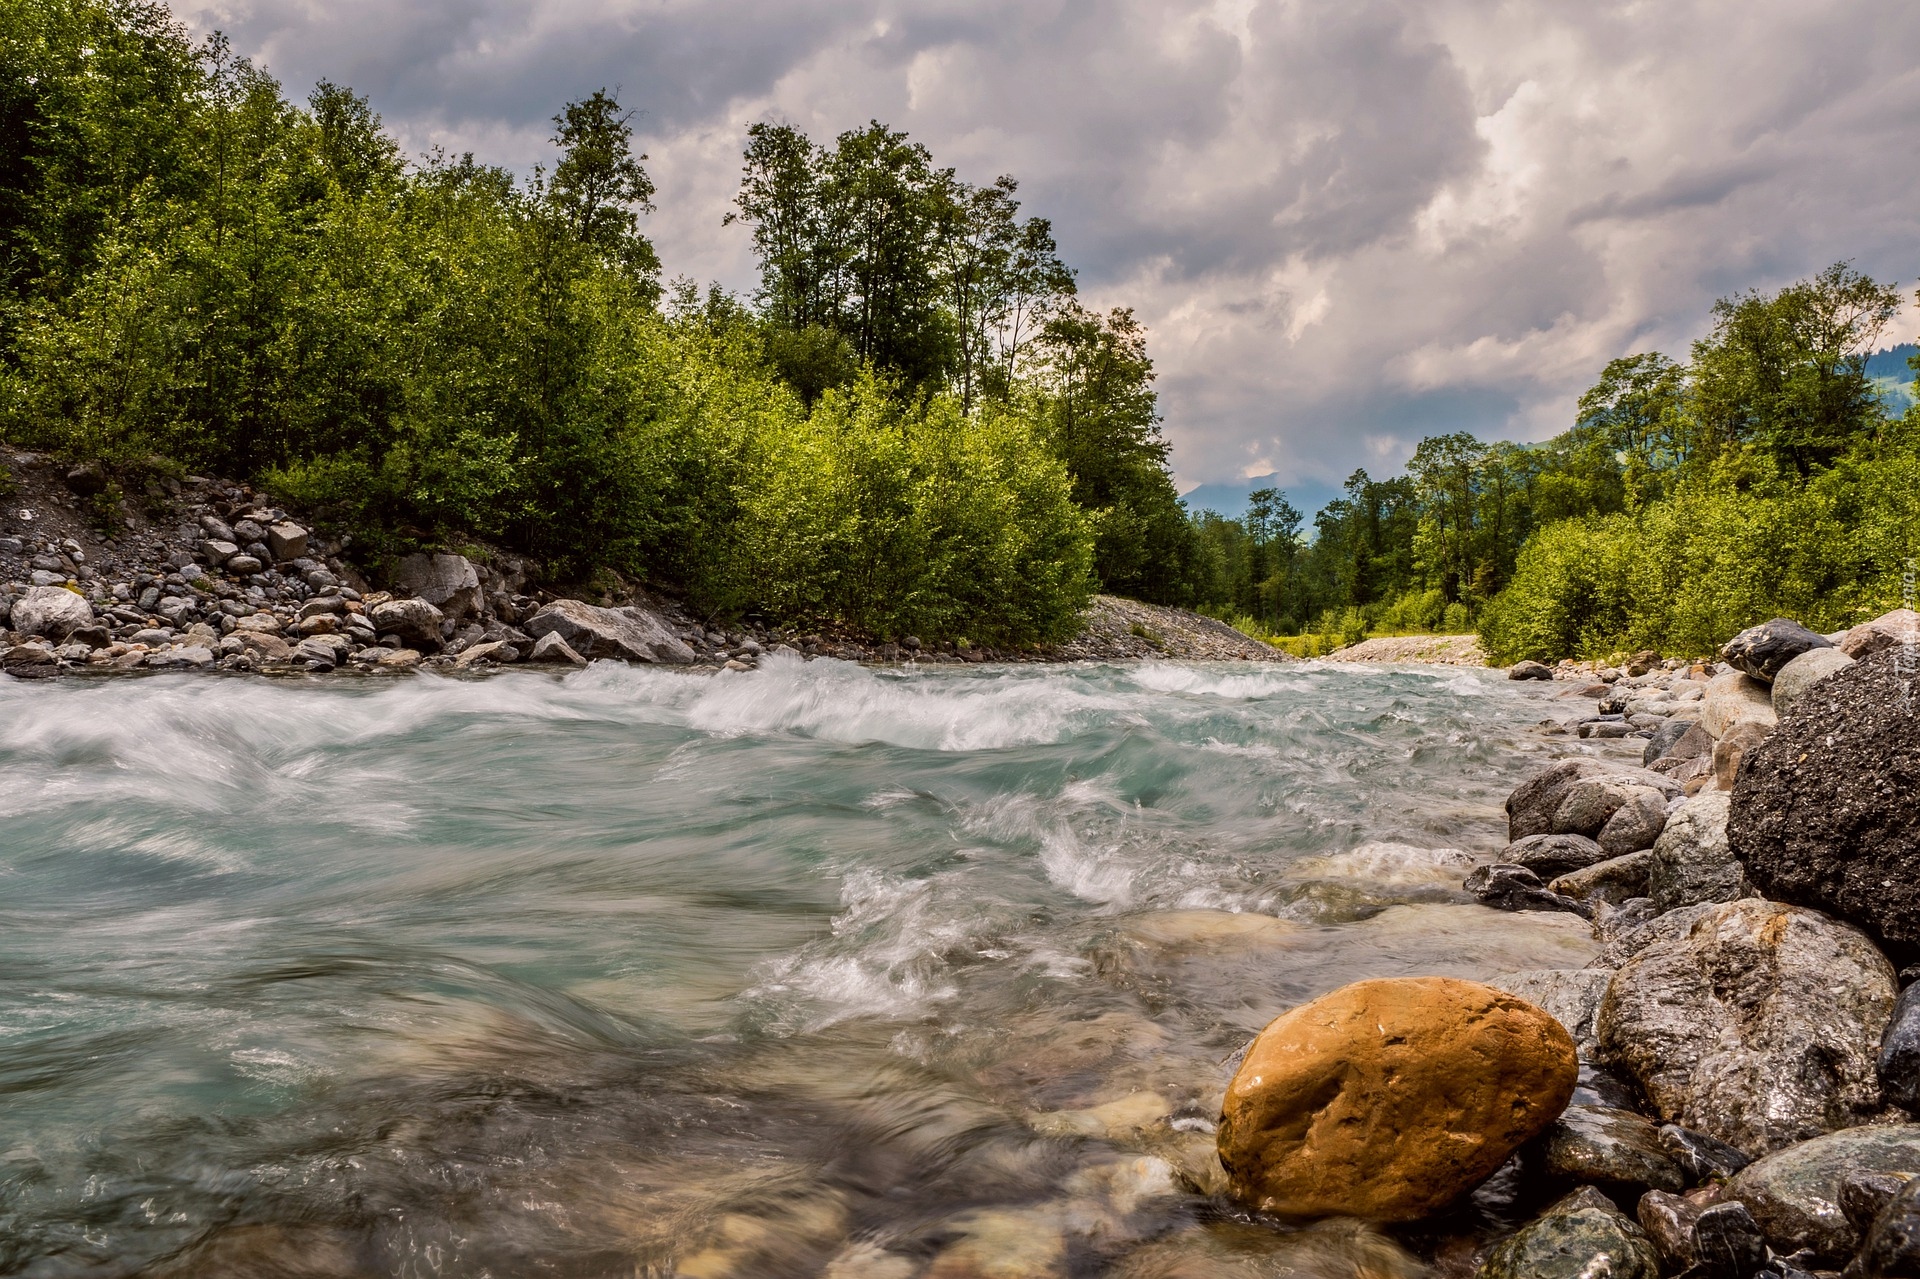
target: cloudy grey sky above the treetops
<point>1347,224</point>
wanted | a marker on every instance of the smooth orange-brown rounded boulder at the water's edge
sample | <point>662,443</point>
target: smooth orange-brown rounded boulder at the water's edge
<point>1389,1099</point>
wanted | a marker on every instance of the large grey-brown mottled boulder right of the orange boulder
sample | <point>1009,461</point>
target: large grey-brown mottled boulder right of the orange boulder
<point>1756,1026</point>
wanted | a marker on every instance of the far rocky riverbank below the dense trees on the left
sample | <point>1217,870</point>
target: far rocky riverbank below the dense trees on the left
<point>206,575</point>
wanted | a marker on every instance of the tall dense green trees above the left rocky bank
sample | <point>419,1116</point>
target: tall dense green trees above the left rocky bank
<point>913,425</point>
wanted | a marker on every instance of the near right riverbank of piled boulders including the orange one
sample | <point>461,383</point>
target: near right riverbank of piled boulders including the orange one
<point>1731,1090</point>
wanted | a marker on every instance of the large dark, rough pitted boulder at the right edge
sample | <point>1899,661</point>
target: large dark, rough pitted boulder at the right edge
<point>1827,811</point>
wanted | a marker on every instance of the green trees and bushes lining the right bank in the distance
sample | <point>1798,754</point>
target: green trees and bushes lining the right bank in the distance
<point>1773,473</point>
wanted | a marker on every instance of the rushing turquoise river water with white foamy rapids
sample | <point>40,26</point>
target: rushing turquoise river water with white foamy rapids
<point>635,973</point>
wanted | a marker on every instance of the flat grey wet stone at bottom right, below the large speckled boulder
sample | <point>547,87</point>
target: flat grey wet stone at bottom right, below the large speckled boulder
<point>1794,1194</point>
